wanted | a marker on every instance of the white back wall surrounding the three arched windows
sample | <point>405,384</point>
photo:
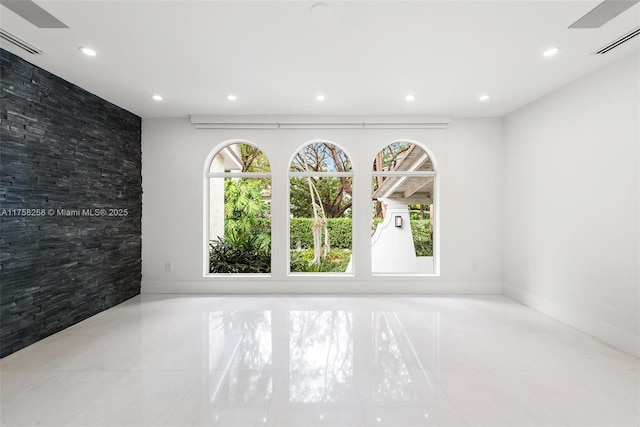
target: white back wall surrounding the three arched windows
<point>470,167</point>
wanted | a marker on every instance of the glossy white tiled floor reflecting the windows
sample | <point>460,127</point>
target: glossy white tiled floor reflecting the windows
<point>320,361</point>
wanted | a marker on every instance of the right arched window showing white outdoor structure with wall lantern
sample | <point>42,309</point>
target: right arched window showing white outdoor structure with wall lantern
<point>403,205</point>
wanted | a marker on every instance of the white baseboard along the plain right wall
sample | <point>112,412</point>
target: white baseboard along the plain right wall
<point>605,332</point>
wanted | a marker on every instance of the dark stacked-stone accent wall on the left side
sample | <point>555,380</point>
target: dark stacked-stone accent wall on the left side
<point>71,154</point>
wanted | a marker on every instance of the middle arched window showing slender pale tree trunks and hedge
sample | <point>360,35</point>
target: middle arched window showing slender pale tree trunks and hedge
<point>320,207</point>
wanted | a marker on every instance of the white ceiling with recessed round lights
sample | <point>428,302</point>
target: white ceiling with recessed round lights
<point>364,56</point>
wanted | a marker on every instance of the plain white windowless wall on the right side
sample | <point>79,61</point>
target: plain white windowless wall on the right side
<point>571,197</point>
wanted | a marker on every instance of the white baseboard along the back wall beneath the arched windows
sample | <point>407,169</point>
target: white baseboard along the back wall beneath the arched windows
<point>319,287</point>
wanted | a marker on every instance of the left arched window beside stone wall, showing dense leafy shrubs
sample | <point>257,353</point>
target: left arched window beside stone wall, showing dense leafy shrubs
<point>238,180</point>
